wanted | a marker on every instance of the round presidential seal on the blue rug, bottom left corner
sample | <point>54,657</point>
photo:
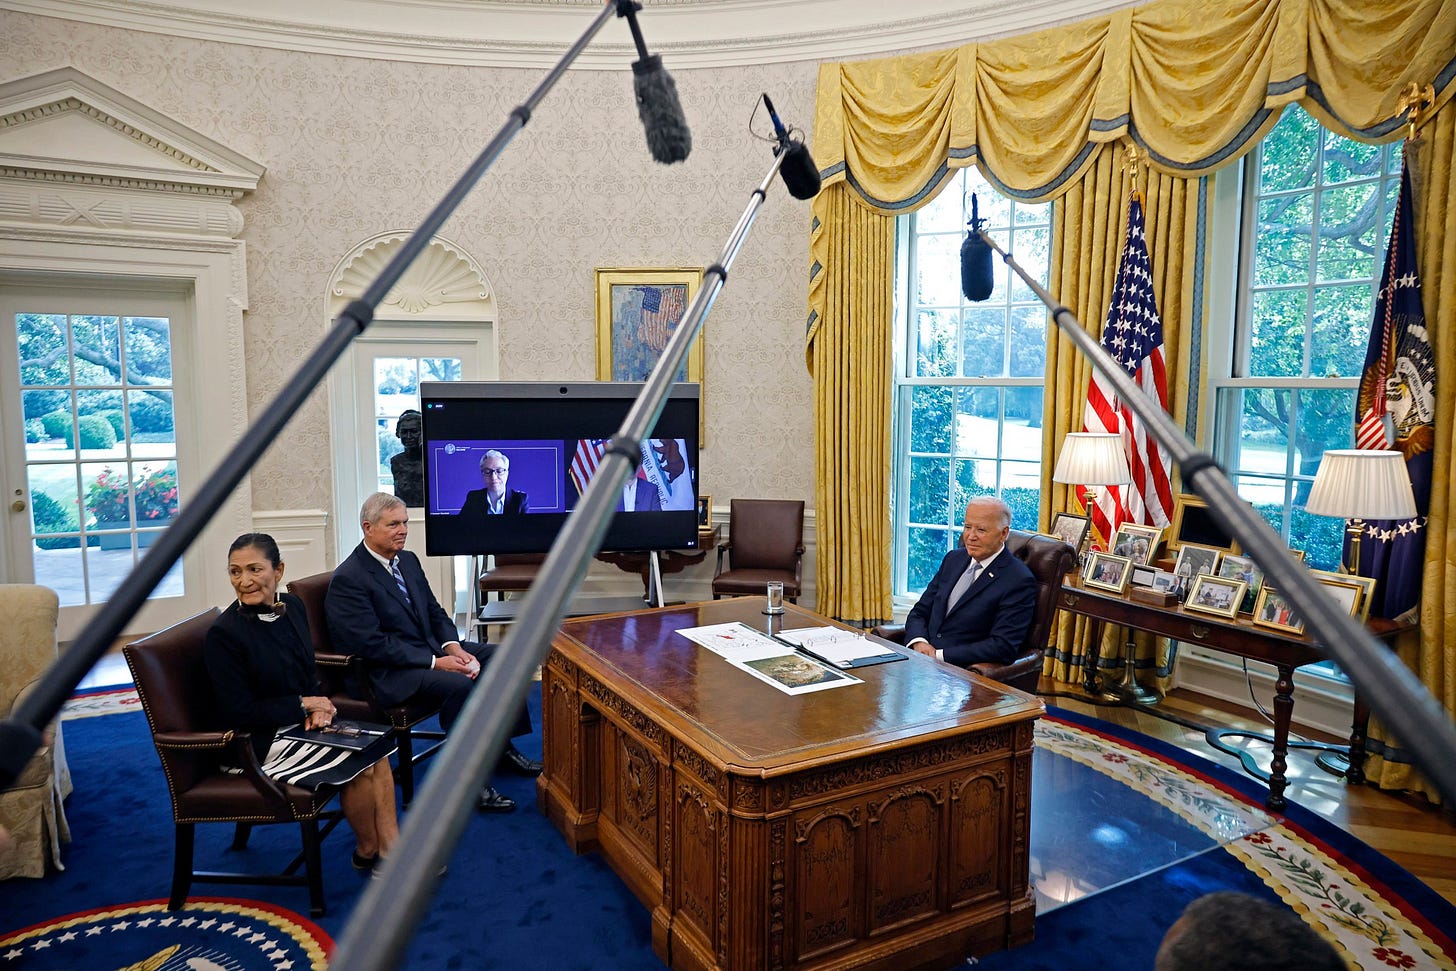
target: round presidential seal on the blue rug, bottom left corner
<point>207,935</point>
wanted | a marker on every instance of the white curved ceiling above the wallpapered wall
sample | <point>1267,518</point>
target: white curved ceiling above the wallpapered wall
<point>537,33</point>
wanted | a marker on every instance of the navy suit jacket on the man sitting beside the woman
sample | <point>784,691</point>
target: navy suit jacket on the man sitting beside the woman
<point>369,617</point>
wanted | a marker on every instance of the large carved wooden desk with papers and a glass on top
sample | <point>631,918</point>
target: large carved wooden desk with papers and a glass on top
<point>873,826</point>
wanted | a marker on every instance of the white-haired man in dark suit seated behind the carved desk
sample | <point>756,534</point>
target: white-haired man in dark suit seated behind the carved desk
<point>981,603</point>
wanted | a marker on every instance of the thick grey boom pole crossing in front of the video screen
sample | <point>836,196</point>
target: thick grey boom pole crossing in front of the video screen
<point>388,912</point>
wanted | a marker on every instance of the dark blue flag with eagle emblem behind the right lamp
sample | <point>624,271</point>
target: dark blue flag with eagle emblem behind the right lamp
<point>1396,408</point>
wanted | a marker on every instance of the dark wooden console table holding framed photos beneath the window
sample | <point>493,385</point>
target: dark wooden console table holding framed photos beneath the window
<point>1240,638</point>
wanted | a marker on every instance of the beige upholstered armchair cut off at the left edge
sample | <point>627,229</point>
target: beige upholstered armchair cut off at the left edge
<point>31,810</point>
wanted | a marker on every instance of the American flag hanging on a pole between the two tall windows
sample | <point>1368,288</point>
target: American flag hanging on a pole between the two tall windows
<point>1133,336</point>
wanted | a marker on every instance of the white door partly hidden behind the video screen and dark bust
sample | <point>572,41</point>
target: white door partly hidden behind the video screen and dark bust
<point>379,384</point>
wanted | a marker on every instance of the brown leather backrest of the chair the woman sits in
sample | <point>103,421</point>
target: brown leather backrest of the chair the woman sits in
<point>177,695</point>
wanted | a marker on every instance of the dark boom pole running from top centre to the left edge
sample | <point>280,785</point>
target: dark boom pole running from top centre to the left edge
<point>21,733</point>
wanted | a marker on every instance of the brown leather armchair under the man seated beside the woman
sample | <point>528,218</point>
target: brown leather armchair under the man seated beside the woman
<point>344,679</point>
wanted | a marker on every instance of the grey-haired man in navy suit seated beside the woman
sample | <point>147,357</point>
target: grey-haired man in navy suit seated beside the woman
<point>381,605</point>
